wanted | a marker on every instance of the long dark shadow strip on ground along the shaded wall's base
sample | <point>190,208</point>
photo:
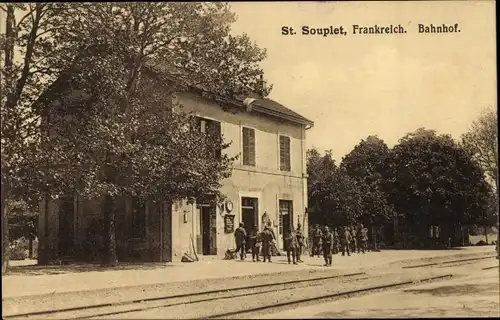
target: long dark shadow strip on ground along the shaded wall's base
<point>75,268</point>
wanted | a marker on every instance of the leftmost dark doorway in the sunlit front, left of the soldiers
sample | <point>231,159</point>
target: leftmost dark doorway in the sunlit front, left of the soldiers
<point>208,228</point>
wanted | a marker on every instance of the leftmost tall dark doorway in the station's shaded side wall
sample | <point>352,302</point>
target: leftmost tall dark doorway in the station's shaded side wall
<point>66,226</point>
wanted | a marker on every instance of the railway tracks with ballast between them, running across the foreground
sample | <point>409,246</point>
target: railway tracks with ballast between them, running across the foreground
<point>268,297</point>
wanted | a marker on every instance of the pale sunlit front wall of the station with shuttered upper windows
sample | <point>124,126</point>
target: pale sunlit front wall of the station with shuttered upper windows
<point>264,181</point>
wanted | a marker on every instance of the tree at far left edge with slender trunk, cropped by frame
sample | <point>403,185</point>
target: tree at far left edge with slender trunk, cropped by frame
<point>22,80</point>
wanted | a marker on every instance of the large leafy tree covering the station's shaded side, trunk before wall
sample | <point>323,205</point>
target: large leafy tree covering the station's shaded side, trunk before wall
<point>113,128</point>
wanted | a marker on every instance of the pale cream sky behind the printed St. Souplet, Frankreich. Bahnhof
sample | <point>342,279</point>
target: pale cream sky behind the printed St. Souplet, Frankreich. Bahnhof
<point>354,86</point>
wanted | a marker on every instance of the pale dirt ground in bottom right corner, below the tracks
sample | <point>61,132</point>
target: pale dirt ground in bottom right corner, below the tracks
<point>475,295</point>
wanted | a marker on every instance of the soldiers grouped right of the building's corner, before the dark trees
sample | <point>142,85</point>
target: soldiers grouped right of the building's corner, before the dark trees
<point>339,240</point>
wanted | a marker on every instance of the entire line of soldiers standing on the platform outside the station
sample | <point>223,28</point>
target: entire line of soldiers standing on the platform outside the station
<point>328,242</point>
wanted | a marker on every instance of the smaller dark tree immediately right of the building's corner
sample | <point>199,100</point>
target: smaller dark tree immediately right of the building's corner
<point>335,197</point>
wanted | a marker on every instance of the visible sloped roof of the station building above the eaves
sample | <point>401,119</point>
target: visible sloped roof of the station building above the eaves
<point>263,105</point>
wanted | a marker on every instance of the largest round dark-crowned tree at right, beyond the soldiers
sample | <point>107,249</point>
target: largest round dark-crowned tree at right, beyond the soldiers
<point>433,181</point>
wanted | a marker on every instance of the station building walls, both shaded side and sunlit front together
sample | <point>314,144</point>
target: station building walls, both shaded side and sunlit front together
<point>181,233</point>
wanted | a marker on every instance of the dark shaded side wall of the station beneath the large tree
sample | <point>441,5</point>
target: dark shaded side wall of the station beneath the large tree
<point>88,222</point>
